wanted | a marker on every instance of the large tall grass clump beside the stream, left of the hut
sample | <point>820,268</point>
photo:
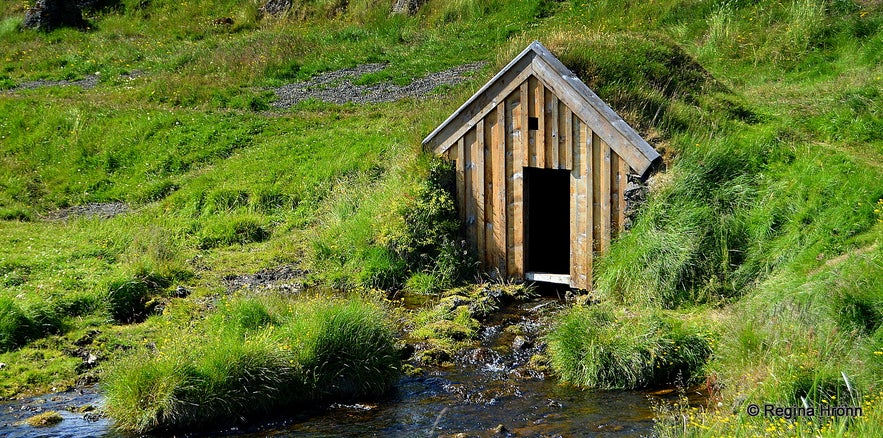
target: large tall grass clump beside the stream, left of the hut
<point>251,358</point>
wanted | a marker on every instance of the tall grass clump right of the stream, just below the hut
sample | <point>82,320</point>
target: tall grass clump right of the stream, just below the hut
<point>598,347</point>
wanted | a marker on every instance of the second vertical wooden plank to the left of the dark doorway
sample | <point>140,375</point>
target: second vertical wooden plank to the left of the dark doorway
<point>499,196</point>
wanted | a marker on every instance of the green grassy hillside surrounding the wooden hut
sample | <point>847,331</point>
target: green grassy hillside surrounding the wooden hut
<point>758,250</point>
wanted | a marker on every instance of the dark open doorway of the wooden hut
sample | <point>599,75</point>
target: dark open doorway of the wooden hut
<point>547,213</point>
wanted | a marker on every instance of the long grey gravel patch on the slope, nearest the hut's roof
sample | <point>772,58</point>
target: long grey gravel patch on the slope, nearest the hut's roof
<point>338,87</point>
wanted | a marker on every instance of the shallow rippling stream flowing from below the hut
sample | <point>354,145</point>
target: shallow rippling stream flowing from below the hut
<point>487,387</point>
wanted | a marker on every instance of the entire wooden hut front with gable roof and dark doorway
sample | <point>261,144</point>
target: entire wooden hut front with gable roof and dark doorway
<point>541,169</point>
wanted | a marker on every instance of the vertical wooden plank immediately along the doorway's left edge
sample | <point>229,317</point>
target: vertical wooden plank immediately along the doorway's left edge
<point>516,216</point>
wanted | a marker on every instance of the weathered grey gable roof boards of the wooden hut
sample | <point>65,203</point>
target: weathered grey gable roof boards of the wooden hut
<point>536,60</point>
